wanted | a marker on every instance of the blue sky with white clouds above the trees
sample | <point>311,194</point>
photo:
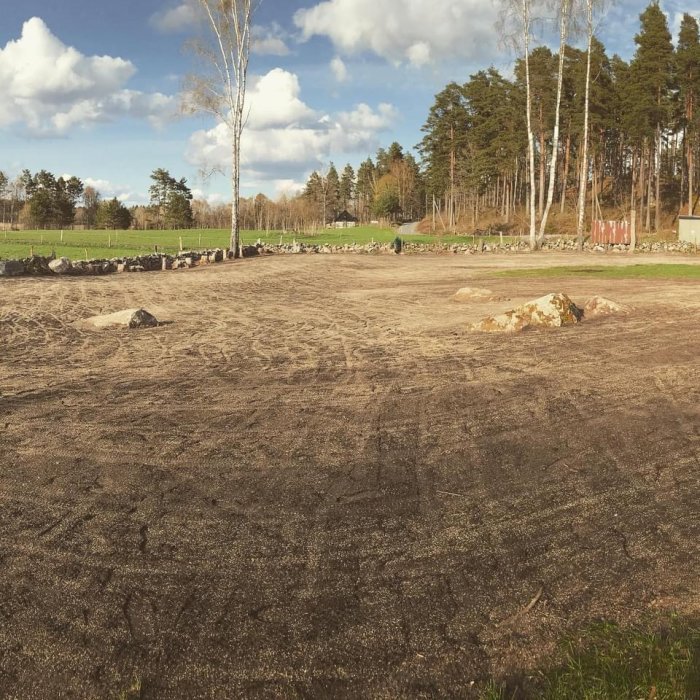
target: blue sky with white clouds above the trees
<point>95,89</point>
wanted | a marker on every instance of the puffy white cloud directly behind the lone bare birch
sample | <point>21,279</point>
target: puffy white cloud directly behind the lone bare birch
<point>284,136</point>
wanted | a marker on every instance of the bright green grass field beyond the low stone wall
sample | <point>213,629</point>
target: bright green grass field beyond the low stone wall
<point>79,245</point>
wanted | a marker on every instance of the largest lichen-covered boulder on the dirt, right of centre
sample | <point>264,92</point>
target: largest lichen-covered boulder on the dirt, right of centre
<point>550,311</point>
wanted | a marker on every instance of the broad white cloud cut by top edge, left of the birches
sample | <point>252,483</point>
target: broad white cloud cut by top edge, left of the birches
<point>412,31</point>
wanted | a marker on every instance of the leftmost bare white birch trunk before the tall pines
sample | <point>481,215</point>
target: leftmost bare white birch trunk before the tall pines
<point>515,25</point>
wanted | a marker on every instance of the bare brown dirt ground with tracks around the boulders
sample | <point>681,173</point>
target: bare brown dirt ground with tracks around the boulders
<point>316,482</point>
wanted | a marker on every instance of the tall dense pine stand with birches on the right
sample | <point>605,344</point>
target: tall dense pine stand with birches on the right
<point>575,131</point>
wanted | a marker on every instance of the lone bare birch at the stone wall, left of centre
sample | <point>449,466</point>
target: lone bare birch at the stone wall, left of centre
<point>220,90</point>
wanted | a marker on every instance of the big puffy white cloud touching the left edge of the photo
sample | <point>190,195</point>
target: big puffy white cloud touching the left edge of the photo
<point>50,87</point>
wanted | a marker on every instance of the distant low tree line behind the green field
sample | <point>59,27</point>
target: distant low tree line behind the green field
<point>390,187</point>
